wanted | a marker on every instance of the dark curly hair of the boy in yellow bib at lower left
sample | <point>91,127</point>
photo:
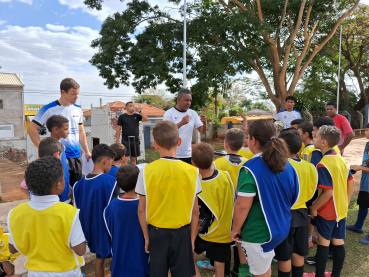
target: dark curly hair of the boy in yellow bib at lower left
<point>42,175</point>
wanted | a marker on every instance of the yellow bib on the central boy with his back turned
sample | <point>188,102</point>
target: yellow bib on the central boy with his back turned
<point>170,190</point>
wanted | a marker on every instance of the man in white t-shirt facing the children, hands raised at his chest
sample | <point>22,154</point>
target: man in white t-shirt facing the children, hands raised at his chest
<point>185,119</point>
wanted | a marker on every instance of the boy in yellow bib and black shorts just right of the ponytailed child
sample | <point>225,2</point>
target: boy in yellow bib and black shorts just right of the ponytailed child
<point>294,248</point>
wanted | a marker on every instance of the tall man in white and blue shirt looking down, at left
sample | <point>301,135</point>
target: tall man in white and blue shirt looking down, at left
<point>65,106</point>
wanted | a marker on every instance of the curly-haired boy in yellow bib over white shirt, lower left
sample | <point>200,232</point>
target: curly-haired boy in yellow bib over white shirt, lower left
<point>45,230</point>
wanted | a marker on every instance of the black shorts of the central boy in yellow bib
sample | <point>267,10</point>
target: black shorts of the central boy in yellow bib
<point>171,249</point>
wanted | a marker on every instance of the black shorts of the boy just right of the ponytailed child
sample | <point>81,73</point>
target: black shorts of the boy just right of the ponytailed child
<point>297,242</point>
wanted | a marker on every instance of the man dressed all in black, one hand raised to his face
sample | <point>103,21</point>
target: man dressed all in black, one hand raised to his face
<point>128,126</point>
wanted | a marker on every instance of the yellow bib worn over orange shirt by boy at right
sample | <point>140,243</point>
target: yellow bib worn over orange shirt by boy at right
<point>338,170</point>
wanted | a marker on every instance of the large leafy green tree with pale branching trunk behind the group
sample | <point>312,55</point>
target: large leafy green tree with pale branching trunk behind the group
<point>276,38</point>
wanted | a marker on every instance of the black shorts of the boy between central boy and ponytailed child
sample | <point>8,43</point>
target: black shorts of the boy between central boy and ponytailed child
<point>219,252</point>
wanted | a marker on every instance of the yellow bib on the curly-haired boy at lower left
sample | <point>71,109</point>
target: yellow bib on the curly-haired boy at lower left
<point>43,236</point>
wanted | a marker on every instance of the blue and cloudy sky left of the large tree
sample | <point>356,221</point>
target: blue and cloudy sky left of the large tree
<point>46,41</point>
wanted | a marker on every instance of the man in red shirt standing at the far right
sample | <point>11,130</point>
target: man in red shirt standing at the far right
<point>342,124</point>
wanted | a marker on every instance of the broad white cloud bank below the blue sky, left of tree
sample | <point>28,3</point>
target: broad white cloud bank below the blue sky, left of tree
<point>44,57</point>
